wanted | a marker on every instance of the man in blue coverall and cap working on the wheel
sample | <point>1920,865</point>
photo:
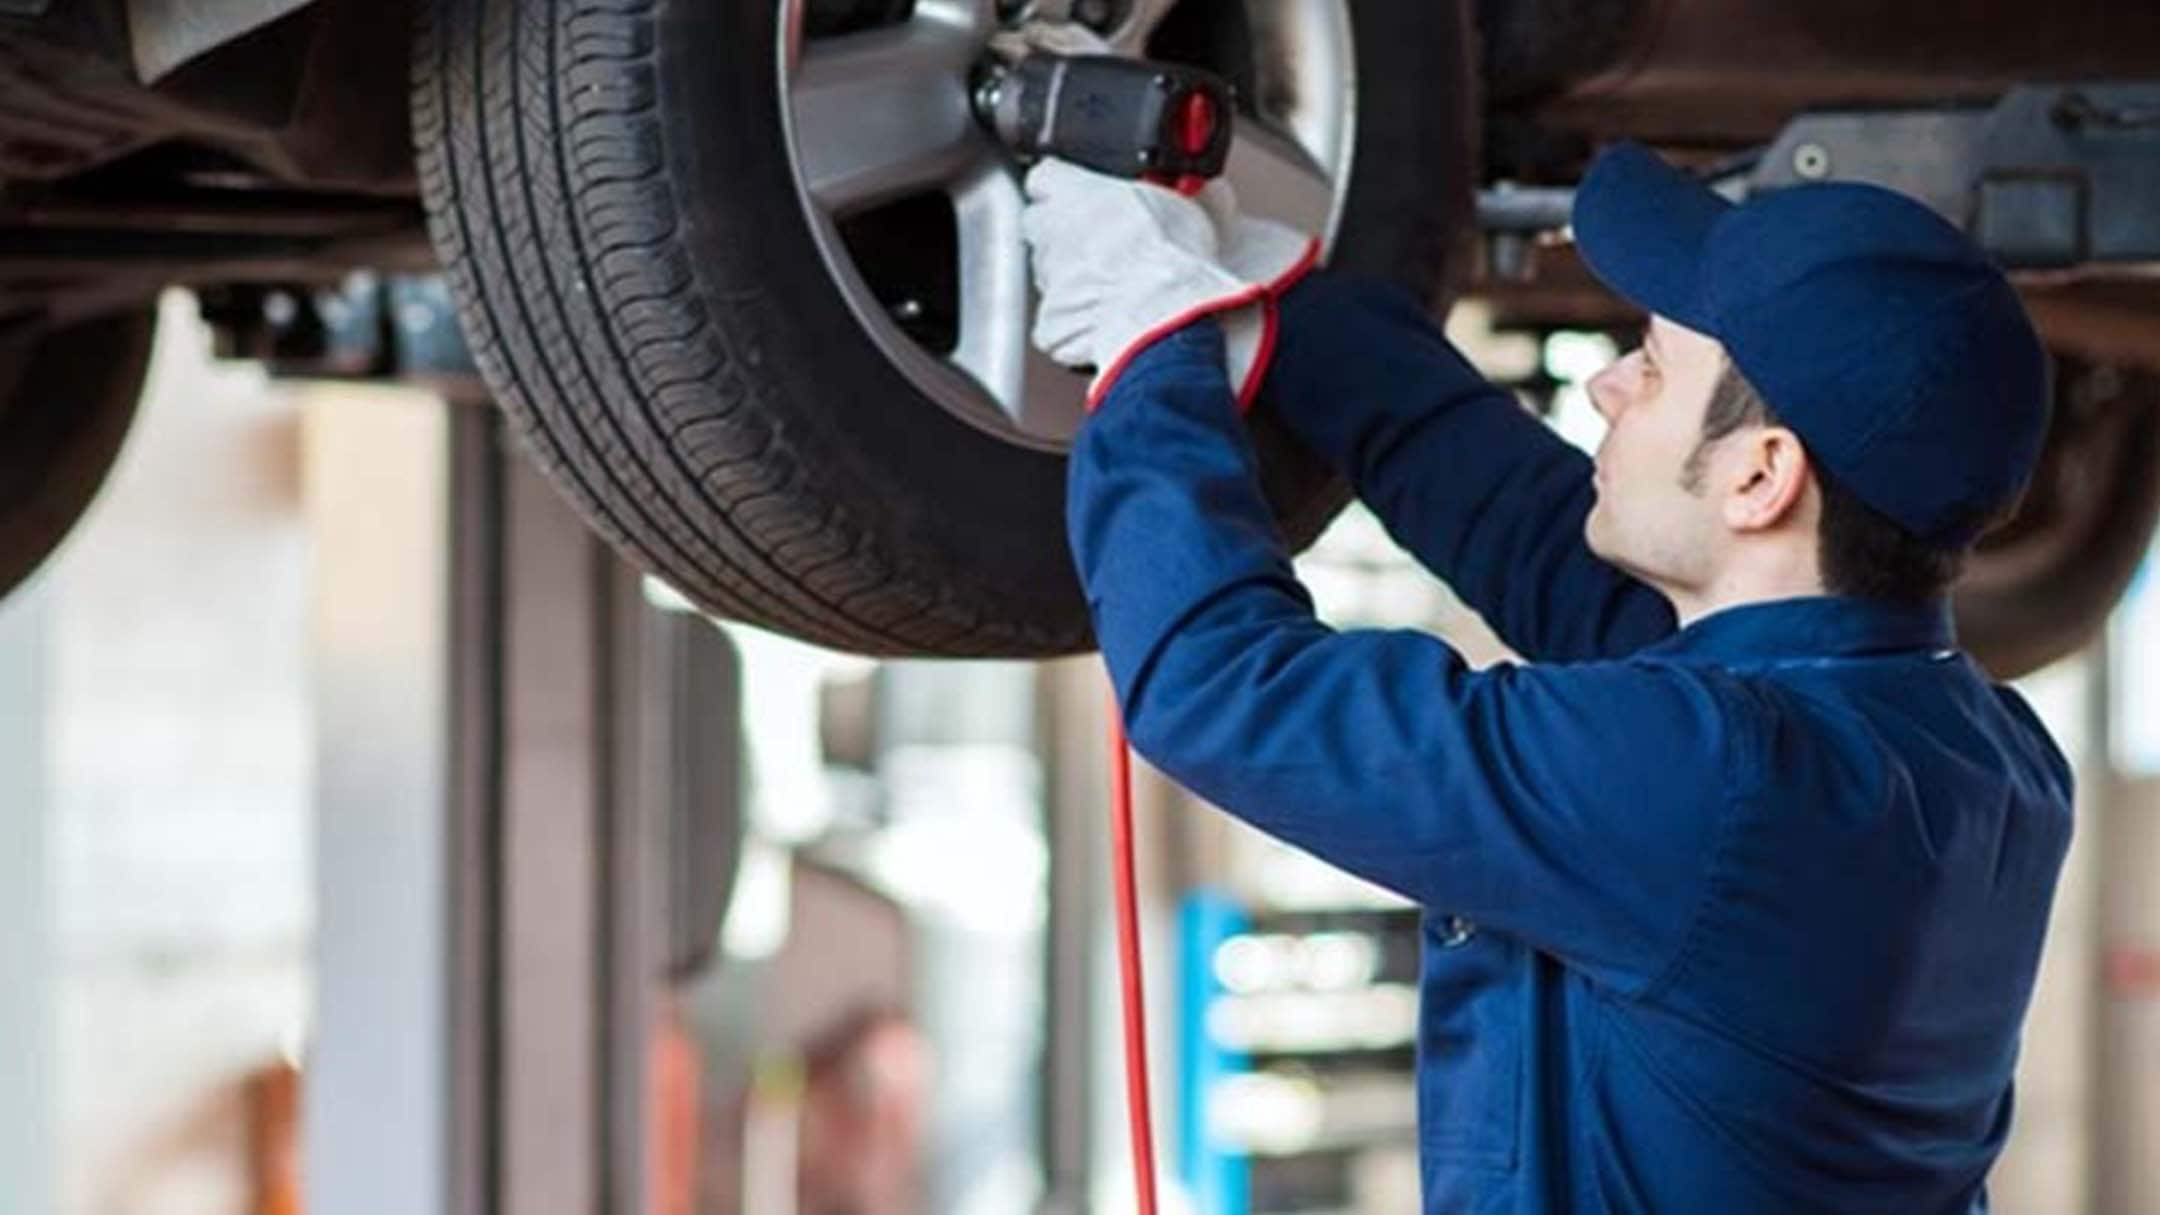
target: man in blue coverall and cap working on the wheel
<point>1738,887</point>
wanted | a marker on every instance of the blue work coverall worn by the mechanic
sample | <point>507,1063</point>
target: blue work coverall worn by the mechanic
<point>1723,920</point>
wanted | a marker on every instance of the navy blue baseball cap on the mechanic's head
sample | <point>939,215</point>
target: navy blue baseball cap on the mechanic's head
<point>1876,330</point>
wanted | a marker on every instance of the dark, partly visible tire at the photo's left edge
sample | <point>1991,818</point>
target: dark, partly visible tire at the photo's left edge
<point>68,395</point>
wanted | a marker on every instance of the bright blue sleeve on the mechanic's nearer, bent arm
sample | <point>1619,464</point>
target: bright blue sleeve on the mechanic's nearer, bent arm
<point>1574,807</point>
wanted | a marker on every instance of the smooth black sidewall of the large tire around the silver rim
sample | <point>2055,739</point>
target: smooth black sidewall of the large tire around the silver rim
<point>956,507</point>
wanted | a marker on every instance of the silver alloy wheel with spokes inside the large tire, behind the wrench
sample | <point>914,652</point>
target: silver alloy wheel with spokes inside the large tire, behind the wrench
<point>917,211</point>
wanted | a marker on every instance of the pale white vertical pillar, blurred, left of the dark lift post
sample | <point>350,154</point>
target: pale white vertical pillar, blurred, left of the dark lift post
<point>379,1073</point>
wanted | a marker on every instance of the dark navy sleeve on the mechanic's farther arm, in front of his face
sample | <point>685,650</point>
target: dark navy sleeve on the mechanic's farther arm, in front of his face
<point>1463,477</point>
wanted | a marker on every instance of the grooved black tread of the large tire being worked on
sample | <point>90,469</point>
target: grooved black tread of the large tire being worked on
<point>541,159</point>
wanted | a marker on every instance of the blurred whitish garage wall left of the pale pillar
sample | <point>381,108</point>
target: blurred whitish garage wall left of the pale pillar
<point>178,786</point>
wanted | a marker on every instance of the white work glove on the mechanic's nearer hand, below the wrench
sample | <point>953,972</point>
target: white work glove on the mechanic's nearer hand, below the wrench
<point>1120,265</point>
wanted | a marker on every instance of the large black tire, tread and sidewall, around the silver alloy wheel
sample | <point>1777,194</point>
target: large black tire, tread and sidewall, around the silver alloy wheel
<point>610,189</point>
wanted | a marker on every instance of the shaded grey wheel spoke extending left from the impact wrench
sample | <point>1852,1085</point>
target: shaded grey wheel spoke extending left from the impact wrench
<point>885,114</point>
